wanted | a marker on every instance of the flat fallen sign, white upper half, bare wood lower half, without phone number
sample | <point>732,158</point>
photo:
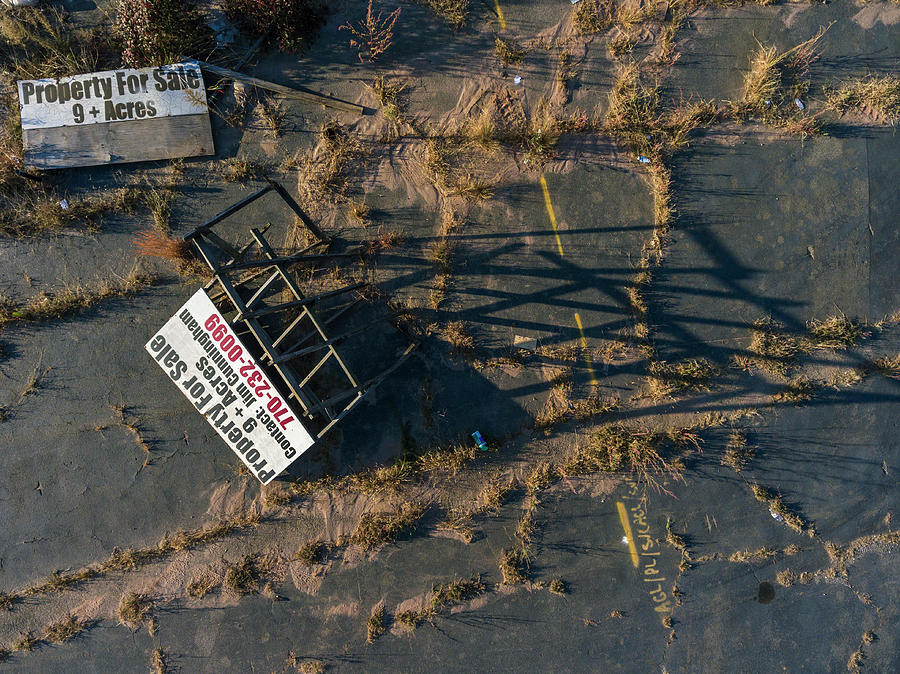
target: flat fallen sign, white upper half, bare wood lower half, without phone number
<point>115,116</point>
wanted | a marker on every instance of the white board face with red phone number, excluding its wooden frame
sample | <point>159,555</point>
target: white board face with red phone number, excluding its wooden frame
<point>199,351</point>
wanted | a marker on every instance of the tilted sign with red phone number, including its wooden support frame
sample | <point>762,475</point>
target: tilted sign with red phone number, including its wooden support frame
<point>296,374</point>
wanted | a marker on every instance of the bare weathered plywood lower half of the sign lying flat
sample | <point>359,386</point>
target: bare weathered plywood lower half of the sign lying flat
<point>118,142</point>
